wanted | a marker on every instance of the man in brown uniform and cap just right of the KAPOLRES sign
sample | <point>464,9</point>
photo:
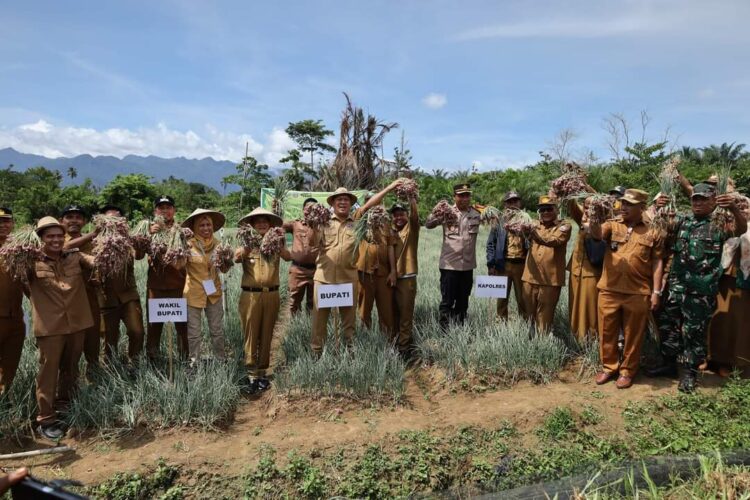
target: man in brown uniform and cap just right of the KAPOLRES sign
<point>544,274</point>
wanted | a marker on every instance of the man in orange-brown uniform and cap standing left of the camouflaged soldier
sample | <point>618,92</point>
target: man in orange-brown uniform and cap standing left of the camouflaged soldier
<point>629,288</point>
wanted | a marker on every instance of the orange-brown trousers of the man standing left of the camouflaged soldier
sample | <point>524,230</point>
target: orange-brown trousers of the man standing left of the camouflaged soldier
<point>630,313</point>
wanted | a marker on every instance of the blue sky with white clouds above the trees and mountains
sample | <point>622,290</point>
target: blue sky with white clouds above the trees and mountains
<point>484,82</point>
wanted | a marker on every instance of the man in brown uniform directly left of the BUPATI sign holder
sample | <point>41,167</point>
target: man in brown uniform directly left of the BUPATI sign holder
<point>304,253</point>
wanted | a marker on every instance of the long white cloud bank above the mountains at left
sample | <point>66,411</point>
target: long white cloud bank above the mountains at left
<point>47,139</point>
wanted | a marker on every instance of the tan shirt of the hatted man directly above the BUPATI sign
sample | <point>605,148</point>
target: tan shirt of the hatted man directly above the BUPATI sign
<point>336,258</point>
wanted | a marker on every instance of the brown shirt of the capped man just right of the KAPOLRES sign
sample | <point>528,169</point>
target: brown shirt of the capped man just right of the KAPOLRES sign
<point>545,264</point>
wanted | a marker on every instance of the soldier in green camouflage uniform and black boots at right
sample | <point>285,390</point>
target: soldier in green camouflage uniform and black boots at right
<point>693,283</point>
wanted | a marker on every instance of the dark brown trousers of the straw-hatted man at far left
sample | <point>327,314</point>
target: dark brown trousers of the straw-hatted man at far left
<point>58,372</point>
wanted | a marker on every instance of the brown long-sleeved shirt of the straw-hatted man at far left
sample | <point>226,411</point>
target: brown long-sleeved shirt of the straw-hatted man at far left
<point>59,304</point>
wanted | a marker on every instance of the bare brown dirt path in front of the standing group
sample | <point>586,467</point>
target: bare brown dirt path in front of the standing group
<point>326,425</point>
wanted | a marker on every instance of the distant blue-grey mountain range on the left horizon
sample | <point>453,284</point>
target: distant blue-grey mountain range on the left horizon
<point>101,169</point>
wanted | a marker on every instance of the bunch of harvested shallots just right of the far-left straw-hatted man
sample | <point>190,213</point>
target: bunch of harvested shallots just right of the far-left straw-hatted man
<point>113,247</point>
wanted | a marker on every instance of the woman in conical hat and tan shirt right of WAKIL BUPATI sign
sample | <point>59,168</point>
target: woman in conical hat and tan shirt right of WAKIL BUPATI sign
<point>203,284</point>
